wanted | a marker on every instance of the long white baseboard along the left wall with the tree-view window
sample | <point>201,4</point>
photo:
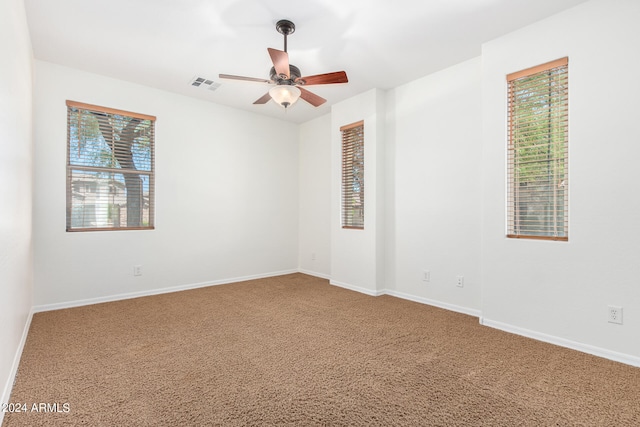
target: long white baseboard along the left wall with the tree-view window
<point>118,297</point>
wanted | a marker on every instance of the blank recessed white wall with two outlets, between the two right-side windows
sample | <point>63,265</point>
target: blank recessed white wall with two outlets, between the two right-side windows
<point>437,134</point>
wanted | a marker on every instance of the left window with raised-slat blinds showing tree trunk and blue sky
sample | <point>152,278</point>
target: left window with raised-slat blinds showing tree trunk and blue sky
<point>110,169</point>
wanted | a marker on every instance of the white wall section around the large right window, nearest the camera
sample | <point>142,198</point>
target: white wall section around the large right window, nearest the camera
<point>559,291</point>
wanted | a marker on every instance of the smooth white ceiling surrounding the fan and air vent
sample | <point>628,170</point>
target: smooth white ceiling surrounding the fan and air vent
<point>165,43</point>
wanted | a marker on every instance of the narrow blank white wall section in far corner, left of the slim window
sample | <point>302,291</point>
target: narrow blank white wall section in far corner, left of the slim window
<point>314,234</point>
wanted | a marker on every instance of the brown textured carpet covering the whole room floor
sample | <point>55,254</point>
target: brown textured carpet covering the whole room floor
<point>294,350</point>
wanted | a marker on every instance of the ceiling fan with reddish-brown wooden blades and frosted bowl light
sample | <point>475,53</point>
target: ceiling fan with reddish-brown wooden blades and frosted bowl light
<point>287,78</point>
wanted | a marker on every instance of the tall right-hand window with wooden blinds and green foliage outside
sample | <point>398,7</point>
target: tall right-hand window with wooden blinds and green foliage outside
<point>537,202</point>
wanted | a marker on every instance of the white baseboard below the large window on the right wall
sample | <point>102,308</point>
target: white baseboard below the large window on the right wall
<point>573,345</point>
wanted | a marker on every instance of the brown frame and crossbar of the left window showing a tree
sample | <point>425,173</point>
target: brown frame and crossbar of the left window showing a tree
<point>70,168</point>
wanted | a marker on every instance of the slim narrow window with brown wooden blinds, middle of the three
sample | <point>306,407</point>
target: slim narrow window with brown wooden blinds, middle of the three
<point>353,175</point>
